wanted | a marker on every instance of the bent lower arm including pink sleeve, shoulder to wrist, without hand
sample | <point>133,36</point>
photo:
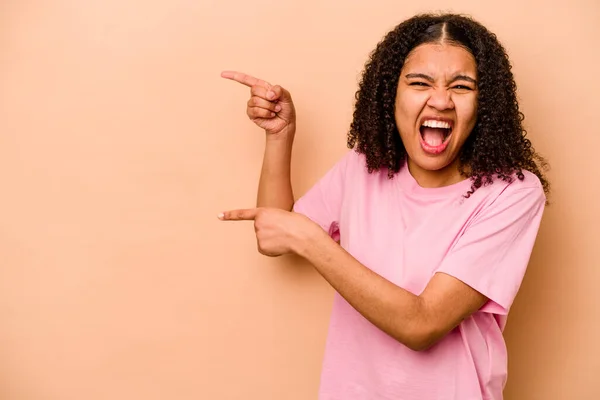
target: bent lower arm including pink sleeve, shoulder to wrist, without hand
<point>482,271</point>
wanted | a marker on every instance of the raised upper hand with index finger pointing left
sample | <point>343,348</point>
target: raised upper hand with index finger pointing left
<point>270,107</point>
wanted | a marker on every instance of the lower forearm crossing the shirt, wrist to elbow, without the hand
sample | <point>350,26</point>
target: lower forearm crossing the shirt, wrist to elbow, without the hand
<point>392,309</point>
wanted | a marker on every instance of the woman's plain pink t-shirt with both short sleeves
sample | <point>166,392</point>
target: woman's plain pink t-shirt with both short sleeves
<point>406,233</point>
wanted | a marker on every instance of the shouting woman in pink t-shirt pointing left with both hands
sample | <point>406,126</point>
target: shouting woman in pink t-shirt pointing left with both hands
<point>426,228</point>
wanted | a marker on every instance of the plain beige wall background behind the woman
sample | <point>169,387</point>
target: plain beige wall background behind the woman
<point>120,143</point>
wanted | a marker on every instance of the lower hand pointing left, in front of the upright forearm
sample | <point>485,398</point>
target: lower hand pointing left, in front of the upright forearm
<point>278,231</point>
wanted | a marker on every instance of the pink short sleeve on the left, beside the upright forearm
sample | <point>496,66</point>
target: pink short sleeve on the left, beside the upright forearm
<point>322,203</point>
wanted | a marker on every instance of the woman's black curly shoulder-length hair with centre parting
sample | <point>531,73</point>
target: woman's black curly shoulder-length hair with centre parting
<point>496,146</point>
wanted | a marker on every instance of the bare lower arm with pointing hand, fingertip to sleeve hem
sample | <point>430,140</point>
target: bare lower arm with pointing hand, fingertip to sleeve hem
<point>416,321</point>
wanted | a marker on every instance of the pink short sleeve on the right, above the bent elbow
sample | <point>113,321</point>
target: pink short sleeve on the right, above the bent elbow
<point>493,253</point>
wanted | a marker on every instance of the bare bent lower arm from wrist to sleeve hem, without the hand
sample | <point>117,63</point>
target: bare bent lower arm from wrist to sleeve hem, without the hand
<point>416,321</point>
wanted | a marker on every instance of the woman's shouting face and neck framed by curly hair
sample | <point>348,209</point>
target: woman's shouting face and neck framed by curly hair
<point>436,110</point>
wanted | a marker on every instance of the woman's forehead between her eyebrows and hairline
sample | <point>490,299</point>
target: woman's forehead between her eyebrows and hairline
<point>440,58</point>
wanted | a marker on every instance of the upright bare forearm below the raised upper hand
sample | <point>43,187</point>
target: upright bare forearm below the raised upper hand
<point>275,187</point>
